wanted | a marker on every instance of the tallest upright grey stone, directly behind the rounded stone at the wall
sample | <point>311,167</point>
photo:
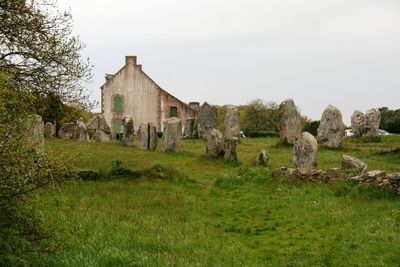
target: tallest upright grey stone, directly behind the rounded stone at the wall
<point>289,122</point>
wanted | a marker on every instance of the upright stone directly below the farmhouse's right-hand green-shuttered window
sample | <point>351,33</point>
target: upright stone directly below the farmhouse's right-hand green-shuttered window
<point>172,132</point>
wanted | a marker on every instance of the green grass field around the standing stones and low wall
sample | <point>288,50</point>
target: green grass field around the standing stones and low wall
<point>206,212</point>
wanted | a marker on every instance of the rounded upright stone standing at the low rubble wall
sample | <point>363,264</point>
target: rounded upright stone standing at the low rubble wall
<point>305,151</point>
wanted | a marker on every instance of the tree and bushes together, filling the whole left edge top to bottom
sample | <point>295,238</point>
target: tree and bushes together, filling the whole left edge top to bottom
<point>39,59</point>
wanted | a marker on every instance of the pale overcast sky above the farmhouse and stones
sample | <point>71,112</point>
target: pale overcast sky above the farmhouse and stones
<point>340,52</point>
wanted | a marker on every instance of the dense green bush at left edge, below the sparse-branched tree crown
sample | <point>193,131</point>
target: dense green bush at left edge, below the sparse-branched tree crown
<point>22,171</point>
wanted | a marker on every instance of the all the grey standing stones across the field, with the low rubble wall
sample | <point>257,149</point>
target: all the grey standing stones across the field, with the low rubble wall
<point>331,133</point>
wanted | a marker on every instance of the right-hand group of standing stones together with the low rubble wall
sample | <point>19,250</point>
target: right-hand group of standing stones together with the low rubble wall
<point>330,133</point>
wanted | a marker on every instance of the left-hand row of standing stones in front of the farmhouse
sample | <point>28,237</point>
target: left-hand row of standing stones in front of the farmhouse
<point>217,145</point>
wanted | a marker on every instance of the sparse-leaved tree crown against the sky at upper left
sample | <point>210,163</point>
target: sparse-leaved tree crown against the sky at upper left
<point>37,46</point>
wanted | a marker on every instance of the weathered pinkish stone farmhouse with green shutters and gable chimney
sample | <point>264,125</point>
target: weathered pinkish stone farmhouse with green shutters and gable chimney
<point>132,93</point>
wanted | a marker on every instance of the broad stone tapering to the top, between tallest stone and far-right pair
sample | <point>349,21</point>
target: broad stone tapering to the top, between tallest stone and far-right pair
<point>331,130</point>
